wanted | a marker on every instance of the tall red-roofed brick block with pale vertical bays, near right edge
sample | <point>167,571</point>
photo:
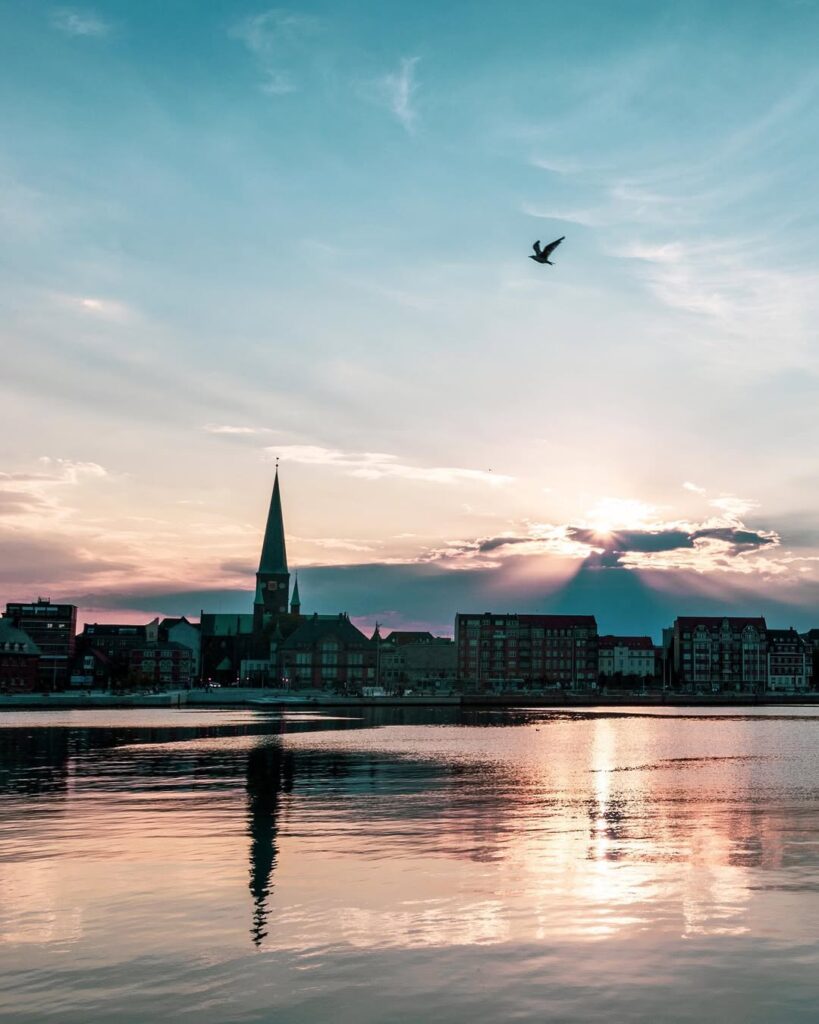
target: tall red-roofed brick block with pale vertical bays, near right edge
<point>728,654</point>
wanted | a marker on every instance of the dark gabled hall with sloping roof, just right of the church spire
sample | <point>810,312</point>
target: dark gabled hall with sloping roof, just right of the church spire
<point>327,652</point>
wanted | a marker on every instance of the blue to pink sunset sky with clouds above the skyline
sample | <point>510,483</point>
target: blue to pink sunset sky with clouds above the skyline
<point>231,233</point>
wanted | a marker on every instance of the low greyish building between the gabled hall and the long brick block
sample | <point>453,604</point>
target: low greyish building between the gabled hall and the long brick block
<point>416,660</point>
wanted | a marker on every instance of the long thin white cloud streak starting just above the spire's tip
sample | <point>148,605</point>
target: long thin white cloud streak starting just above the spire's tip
<point>377,465</point>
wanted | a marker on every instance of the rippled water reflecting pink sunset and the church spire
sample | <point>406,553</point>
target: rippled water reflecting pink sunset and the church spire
<point>243,867</point>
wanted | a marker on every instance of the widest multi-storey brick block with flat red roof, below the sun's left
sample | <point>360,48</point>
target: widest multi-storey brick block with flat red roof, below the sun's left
<point>510,651</point>
